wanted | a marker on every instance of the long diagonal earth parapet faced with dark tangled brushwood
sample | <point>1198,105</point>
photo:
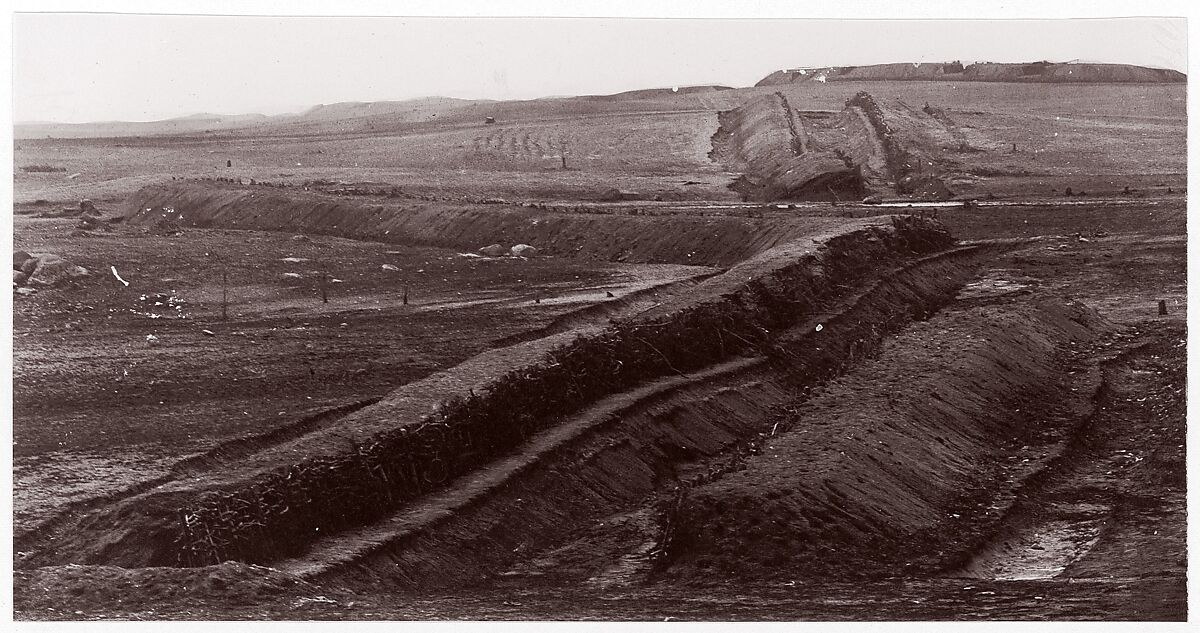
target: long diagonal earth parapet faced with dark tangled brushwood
<point>274,505</point>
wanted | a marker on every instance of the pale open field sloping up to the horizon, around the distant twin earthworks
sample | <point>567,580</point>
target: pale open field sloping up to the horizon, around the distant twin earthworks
<point>1132,135</point>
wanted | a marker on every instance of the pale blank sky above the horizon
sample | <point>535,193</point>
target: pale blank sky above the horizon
<point>93,68</point>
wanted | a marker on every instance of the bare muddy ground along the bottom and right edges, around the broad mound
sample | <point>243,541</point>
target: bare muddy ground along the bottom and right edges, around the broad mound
<point>1117,491</point>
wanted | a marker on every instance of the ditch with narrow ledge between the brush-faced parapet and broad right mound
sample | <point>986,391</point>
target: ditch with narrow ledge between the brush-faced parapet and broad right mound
<point>574,511</point>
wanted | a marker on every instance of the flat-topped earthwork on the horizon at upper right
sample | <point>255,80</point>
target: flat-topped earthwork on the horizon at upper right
<point>1034,73</point>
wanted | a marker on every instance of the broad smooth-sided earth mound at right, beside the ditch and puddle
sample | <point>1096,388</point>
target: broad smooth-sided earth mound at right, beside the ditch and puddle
<point>897,478</point>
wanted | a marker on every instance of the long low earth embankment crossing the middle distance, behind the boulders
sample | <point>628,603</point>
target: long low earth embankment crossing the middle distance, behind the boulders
<point>698,240</point>
